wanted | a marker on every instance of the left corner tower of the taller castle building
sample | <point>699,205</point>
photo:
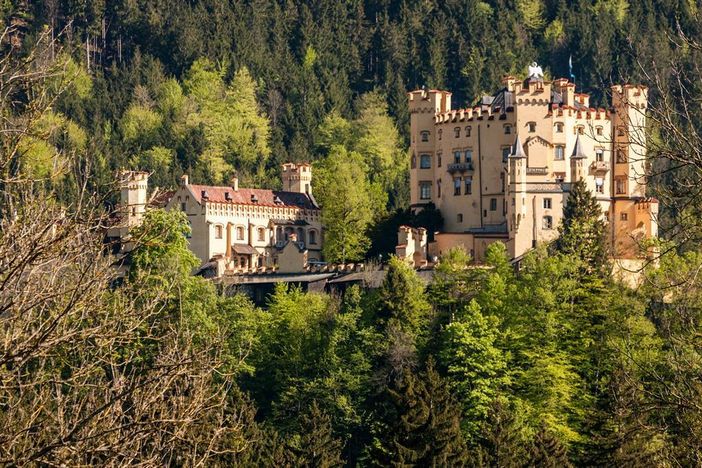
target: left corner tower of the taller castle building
<point>423,107</point>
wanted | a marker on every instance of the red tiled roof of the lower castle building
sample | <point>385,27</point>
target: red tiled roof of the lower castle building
<point>243,196</point>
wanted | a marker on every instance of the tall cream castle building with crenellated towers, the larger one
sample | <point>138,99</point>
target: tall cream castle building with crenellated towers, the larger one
<point>501,171</point>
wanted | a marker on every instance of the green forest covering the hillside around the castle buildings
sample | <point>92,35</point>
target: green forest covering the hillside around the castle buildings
<point>553,364</point>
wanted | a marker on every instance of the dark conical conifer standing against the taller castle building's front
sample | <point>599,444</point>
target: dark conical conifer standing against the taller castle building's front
<point>583,232</point>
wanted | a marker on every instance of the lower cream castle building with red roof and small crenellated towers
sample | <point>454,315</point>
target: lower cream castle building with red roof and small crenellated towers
<point>246,229</point>
